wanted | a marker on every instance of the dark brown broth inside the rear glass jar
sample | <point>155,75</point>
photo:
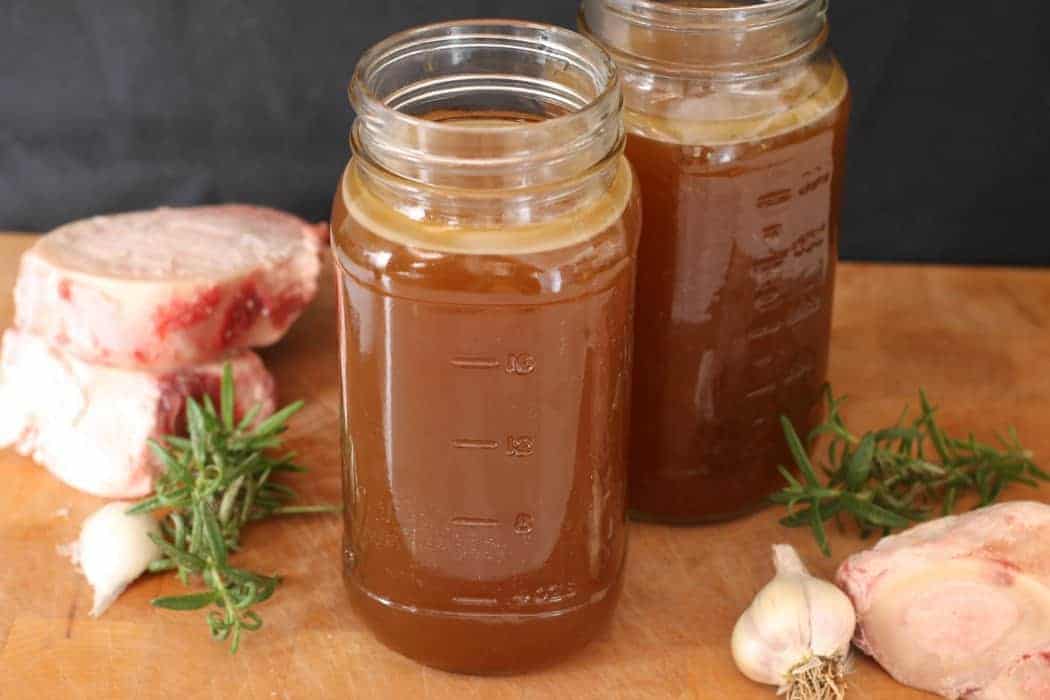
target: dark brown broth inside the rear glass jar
<point>734,298</point>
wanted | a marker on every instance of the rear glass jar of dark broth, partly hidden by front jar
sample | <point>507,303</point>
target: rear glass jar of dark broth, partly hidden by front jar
<point>737,118</point>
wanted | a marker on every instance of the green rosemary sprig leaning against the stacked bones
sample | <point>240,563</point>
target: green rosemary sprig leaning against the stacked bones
<point>216,482</point>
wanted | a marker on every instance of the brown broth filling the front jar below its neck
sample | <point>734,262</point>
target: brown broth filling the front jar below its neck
<point>487,379</point>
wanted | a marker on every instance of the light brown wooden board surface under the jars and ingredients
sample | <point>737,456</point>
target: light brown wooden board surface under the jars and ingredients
<point>978,341</point>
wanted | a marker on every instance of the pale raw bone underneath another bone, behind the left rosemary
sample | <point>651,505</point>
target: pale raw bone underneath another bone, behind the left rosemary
<point>90,425</point>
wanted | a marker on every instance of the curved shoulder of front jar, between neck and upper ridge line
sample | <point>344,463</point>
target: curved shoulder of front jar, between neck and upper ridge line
<point>576,254</point>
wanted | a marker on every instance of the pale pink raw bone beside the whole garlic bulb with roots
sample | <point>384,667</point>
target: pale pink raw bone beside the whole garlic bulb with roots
<point>960,606</point>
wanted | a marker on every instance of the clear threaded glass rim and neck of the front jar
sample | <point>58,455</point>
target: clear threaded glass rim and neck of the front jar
<point>539,104</point>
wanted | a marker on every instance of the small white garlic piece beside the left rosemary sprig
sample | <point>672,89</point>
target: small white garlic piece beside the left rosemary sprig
<point>115,549</point>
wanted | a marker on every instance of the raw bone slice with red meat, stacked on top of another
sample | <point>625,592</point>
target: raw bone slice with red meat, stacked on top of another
<point>171,287</point>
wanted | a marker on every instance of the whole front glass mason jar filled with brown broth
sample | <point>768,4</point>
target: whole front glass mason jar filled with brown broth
<point>486,232</point>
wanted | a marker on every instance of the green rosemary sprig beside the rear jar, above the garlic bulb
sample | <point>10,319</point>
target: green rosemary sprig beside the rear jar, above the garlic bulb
<point>887,480</point>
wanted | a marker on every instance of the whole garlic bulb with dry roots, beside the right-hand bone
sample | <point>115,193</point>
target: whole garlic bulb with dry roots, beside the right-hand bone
<point>796,633</point>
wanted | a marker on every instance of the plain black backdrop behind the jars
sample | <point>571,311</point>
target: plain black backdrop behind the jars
<point>119,104</point>
